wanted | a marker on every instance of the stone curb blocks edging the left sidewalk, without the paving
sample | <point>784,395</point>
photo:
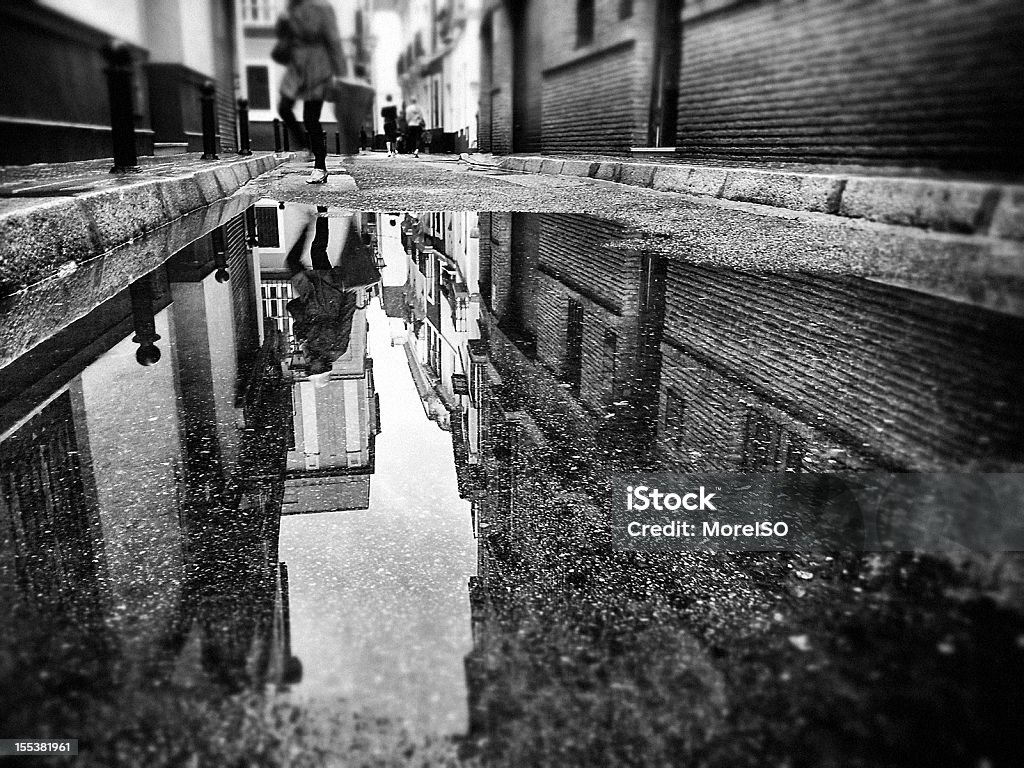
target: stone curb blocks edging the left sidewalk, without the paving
<point>45,235</point>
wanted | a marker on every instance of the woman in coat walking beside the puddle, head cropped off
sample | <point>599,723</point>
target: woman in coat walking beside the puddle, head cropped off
<point>316,62</point>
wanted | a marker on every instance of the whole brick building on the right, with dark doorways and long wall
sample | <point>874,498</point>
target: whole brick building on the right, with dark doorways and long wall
<point>808,81</point>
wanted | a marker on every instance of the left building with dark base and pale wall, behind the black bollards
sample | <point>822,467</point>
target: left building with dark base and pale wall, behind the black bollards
<point>55,107</point>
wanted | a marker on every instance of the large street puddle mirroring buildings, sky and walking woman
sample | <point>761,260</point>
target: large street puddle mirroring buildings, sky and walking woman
<point>350,471</point>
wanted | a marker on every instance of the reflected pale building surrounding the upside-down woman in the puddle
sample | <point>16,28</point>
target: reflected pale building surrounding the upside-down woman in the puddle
<point>335,416</point>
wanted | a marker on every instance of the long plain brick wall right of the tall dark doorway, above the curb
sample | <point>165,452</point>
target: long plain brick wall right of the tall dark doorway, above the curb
<point>878,82</point>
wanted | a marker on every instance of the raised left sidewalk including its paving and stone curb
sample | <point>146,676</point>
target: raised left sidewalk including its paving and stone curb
<point>57,217</point>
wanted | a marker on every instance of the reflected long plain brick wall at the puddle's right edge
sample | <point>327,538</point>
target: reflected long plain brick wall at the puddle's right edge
<point>897,376</point>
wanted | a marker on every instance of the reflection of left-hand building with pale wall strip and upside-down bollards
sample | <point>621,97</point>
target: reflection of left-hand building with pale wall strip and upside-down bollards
<point>142,490</point>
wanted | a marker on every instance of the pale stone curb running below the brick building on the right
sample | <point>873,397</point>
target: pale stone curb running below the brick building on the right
<point>949,206</point>
